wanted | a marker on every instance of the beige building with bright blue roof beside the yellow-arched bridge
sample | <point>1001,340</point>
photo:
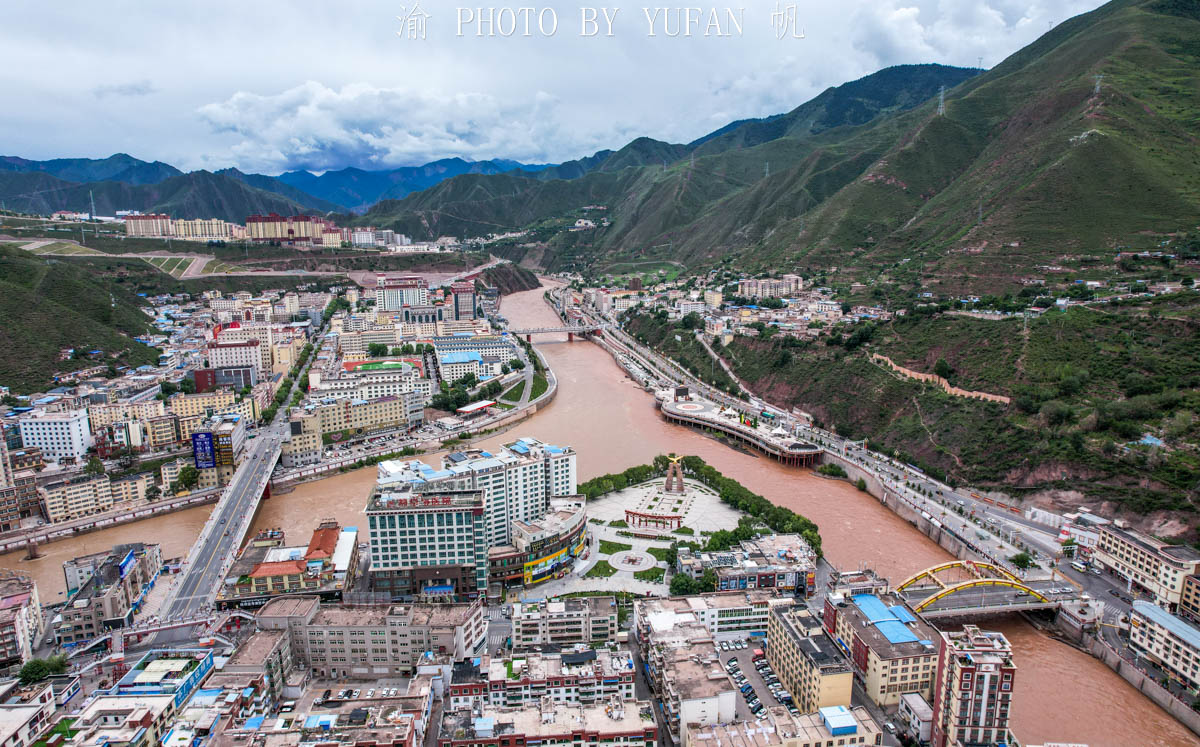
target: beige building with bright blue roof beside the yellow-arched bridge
<point>892,649</point>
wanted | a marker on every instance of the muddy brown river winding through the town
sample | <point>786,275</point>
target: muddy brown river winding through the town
<point>1063,696</point>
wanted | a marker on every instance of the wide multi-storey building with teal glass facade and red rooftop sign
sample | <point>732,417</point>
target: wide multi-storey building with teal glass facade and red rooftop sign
<point>427,542</point>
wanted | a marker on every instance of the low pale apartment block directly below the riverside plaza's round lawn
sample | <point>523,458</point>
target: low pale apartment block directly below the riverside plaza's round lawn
<point>565,623</point>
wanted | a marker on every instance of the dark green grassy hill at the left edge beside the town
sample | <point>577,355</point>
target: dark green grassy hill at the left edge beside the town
<point>47,306</point>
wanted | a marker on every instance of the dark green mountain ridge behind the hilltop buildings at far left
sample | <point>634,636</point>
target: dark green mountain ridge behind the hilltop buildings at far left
<point>188,196</point>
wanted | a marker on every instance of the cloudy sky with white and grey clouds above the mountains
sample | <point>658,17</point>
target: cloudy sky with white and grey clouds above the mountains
<point>269,86</point>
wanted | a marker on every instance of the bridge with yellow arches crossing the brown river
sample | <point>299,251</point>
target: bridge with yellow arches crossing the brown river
<point>969,589</point>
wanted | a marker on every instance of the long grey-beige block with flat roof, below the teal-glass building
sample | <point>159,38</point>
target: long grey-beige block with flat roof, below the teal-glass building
<point>371,642</point>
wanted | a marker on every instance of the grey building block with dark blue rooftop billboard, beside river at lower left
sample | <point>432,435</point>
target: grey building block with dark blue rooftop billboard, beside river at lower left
<point>110,589</point>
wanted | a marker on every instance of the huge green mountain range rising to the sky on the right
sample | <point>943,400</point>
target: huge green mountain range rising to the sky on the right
<point>1028,164</point>
